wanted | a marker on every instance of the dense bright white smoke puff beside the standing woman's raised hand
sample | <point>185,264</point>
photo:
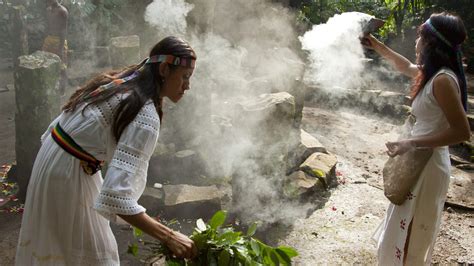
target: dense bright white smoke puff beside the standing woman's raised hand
<point>337,57</point>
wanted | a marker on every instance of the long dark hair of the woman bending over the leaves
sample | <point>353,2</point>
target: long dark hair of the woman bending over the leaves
<point>145,86</point>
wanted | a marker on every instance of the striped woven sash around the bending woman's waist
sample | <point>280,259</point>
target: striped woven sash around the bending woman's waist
<point>89,163</point>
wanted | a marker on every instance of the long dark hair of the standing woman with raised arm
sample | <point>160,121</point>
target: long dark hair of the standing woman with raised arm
<point>436,54</point>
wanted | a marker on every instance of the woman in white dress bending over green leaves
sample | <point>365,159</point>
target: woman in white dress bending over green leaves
<point>114,118</point>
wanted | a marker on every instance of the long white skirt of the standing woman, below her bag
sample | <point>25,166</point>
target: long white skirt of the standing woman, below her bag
<point>423,208</point>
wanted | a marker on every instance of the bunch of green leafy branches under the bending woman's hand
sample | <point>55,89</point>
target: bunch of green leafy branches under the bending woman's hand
<point>222,245</point>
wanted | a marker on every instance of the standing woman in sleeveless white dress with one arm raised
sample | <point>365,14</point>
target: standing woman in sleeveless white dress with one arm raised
<point>439,95</point>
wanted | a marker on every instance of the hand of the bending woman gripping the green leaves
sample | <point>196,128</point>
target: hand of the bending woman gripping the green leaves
<point>181,245</point>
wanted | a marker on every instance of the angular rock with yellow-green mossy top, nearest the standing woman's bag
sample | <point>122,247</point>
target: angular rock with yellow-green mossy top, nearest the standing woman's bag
<point>322,166</point>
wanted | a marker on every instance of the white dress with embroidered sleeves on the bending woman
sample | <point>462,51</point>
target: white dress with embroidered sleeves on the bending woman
<point>67,213</point>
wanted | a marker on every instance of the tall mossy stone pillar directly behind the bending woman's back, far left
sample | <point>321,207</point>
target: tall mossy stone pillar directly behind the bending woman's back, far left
<point>37,104</point>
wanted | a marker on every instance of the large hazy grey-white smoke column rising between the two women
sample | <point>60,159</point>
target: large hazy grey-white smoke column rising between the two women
<point>244,48</point>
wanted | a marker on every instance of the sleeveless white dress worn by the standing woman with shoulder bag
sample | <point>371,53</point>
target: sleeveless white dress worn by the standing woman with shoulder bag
<point>424,205</point>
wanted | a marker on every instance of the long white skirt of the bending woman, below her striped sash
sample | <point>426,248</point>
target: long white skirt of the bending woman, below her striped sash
<point>60,226</point>
